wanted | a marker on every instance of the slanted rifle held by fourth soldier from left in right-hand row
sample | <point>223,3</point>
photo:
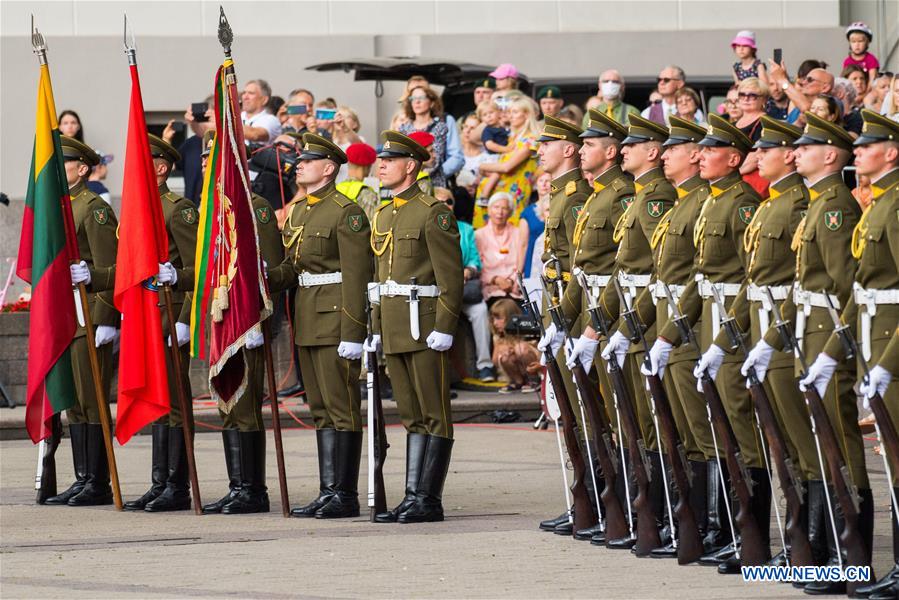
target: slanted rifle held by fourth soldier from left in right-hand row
<point>689,547</point>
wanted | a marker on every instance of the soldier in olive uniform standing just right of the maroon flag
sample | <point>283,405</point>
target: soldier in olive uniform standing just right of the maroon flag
<point>326,238</point>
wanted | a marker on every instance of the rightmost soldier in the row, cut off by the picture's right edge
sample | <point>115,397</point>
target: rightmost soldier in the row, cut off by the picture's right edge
<point>872,309</point>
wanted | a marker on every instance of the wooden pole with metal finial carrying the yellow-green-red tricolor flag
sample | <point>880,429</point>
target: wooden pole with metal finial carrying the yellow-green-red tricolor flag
<point>40,48</point>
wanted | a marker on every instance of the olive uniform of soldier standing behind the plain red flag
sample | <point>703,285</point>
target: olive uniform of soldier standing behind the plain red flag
<point>181,222</point>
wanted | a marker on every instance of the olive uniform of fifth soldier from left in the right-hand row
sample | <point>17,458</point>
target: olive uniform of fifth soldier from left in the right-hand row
<point>722,258</point>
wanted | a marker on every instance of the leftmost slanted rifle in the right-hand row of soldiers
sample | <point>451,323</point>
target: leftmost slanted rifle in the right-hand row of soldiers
<point>583,508</point>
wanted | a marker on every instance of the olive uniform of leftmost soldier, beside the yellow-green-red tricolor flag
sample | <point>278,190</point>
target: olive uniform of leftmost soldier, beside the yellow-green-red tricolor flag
<point>95,231</point>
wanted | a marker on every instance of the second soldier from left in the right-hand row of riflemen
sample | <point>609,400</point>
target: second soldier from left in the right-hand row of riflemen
<point>593,250</point>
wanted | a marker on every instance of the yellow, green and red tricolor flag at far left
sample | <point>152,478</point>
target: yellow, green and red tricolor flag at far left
<point>45,250</point>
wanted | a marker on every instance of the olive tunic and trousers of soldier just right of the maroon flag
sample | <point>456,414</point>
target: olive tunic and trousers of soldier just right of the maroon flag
<point>327,233</point>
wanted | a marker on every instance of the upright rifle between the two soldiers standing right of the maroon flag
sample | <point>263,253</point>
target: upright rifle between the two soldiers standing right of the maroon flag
<point>377,436</point>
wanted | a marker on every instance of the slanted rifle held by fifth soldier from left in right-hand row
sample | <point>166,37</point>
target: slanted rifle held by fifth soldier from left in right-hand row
<point>753,550</point>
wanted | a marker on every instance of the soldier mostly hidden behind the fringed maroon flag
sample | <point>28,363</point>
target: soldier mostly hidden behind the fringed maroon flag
<point>243,431</point>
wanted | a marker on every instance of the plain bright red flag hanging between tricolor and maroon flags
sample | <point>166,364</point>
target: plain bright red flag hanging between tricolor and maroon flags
<point>143,244</point>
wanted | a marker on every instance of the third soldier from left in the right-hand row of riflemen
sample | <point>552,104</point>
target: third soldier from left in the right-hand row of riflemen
<point>642,158</point>
